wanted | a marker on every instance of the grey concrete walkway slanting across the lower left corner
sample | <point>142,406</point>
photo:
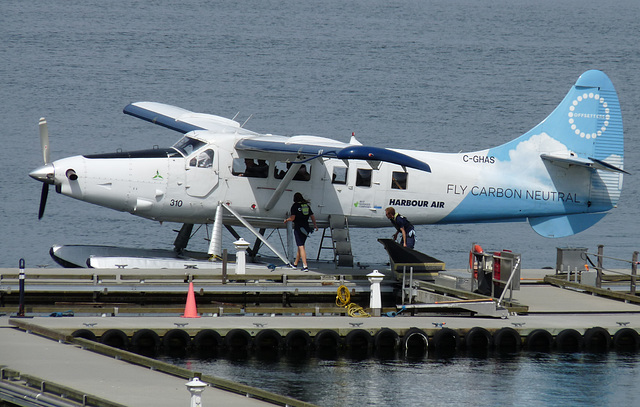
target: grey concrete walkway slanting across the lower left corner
<point>106,378</point>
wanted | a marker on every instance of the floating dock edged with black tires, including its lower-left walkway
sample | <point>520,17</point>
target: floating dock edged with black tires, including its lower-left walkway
<point>294,314</point>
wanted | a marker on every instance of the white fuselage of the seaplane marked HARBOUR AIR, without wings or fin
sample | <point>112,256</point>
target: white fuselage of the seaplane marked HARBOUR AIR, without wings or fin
<point>178,189</point>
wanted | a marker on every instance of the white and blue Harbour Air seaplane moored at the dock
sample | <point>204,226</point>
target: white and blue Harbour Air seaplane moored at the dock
<point>562,176</point>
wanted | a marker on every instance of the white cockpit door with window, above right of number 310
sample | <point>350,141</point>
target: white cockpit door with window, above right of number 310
<point>201,172</point>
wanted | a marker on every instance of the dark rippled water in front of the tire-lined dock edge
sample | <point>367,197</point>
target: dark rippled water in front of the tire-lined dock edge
<point>530,379</point>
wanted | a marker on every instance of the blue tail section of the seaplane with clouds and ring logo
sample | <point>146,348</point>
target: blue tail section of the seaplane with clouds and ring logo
<point>563,175</point>
